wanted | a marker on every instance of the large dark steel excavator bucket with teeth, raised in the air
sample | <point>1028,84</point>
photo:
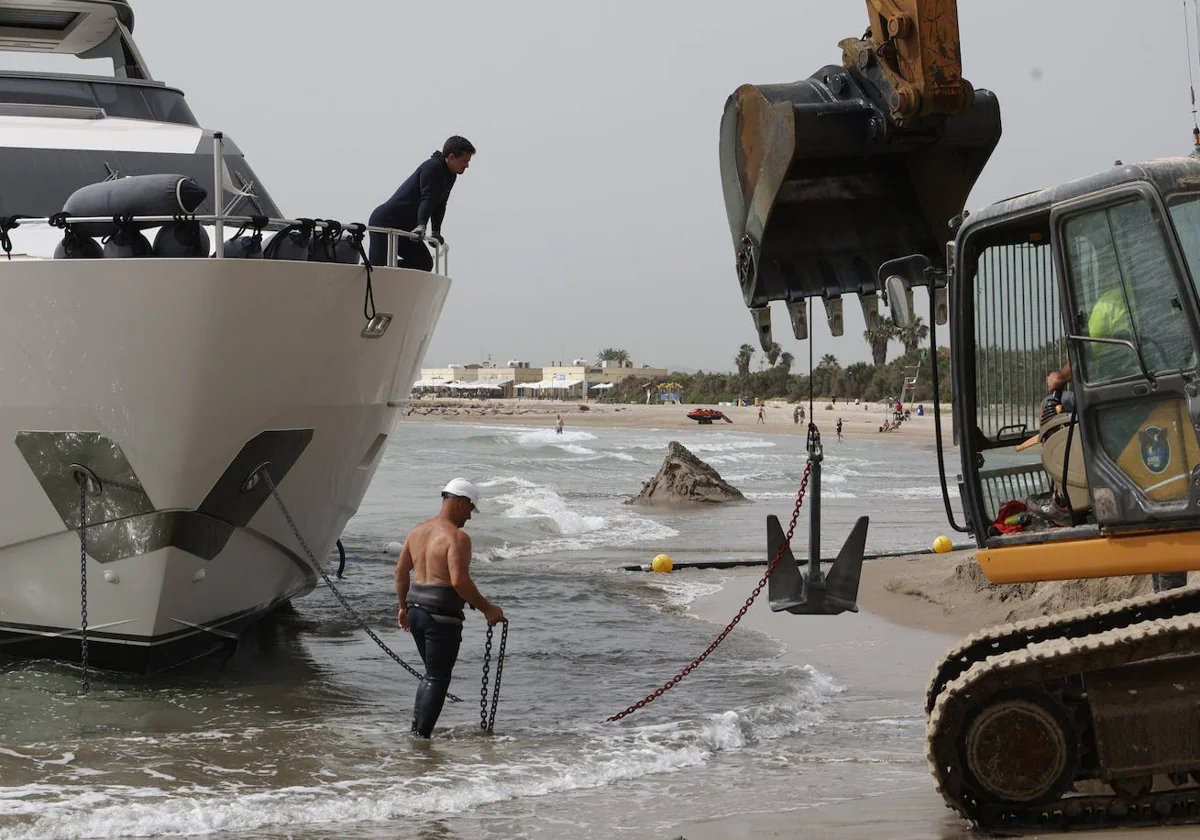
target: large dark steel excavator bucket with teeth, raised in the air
<point>823,185</point>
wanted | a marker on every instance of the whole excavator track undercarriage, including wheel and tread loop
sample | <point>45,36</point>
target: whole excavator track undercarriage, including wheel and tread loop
<point>1012,735</point>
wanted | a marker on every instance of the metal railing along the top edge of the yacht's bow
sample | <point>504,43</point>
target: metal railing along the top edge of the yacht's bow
<point>220,220</point>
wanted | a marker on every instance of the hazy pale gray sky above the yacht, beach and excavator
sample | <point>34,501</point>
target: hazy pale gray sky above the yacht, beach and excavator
<point>592,215</point>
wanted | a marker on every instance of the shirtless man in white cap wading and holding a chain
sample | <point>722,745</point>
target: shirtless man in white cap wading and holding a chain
<point>437,554</point>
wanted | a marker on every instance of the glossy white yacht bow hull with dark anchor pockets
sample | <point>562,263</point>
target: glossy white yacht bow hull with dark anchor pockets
<point>173,381</point>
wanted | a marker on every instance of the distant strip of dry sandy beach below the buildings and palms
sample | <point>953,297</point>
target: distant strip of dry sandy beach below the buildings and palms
<point>859,422</point>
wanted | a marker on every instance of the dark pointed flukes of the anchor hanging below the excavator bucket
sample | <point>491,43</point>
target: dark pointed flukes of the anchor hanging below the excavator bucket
<point>815,595</point>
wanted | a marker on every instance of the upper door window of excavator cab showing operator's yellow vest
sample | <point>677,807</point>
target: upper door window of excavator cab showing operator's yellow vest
<point>1124,285</point>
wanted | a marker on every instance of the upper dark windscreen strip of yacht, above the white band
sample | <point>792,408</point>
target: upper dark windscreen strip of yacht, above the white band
<point>125,100</point>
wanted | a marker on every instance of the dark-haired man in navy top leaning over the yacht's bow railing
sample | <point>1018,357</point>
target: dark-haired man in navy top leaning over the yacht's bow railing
<point>421,202</point>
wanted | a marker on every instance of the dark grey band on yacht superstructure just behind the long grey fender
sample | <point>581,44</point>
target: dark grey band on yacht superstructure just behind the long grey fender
<point>39,182</point>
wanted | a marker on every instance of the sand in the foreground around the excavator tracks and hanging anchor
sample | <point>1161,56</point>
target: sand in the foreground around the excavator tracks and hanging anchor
<point>914,611</point>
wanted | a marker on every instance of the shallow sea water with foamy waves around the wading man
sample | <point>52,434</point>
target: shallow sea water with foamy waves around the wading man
<point>304,733</point>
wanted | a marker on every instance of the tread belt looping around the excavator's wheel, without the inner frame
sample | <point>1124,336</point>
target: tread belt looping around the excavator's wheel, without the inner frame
<point>1029,668</point>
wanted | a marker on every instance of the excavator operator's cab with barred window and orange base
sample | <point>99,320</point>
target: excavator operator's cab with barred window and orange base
<point>1101,273</point>
